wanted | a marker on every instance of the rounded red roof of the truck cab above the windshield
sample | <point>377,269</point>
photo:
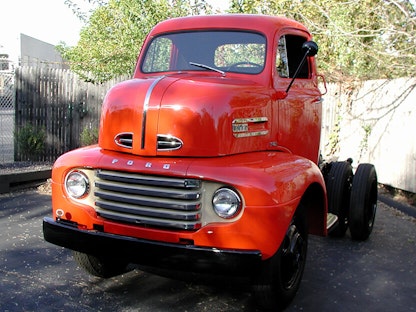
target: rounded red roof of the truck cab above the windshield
<point>261,23</point>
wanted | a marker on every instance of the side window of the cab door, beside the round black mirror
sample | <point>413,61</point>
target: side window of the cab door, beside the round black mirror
<point>289,55</point>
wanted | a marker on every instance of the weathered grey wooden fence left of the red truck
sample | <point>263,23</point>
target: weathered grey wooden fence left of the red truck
<point>54,106</point>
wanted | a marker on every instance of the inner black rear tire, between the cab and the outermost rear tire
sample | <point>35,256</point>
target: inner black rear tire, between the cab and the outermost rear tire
<point>338,185</point>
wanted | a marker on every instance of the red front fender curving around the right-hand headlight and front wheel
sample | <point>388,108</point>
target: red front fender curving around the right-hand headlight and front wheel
<point>272,185</point>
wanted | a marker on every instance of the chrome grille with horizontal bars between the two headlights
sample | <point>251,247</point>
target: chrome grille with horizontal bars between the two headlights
<point>148,200</point>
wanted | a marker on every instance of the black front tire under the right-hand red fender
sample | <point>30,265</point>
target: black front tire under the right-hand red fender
<point>279,278</point>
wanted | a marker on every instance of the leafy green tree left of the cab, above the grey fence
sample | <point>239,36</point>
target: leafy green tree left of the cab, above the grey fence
<point>111,40</point>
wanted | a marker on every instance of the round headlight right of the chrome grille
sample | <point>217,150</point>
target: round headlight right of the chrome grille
<point>226,203</point>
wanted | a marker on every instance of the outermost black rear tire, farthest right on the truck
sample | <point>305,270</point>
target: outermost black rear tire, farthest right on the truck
<point>363,203</point>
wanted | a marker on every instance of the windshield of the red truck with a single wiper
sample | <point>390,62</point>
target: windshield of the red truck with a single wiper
<point>220,51</point>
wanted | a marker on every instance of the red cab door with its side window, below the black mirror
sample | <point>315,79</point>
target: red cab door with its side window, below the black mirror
<point>299,114</point>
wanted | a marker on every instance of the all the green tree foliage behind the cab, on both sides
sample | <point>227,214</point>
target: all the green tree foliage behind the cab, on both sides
<point>358,39</point>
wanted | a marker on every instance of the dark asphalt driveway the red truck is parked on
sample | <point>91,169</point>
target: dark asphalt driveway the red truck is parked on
<point>340,275</point>
